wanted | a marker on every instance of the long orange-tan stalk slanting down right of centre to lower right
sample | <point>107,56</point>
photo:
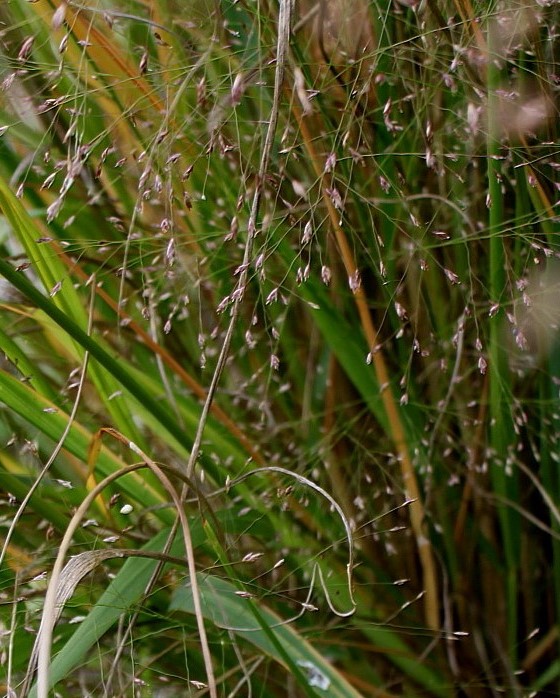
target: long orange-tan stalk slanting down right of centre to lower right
<point>397,433</point>
